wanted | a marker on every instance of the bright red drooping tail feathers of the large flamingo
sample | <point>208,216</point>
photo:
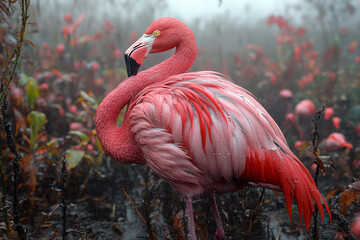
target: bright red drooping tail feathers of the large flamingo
<point>286,171</point>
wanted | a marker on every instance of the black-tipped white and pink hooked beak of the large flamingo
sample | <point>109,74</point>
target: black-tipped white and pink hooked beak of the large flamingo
<point>136,53</point>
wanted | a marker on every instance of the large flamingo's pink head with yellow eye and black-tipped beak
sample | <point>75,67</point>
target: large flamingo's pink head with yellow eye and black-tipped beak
<point>162,35</point>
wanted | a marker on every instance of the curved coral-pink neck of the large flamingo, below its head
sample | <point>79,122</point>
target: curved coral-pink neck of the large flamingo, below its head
<point>118,141</point>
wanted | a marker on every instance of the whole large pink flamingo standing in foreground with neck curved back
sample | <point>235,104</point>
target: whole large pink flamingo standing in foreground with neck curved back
<point>198,131</point>
